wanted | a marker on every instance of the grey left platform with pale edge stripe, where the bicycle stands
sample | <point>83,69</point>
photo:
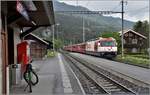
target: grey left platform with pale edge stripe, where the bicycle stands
<point>55,78</point>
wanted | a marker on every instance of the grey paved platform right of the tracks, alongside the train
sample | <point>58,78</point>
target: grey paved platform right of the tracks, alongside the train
<point>131,72</point>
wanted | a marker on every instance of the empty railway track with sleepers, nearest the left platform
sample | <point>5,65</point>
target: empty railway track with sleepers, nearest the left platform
<point>99,81</point>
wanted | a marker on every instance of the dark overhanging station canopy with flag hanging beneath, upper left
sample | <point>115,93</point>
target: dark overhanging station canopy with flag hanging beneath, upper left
<point>28,13</point>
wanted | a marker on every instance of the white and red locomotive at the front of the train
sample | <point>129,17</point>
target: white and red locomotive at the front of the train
<point>104,47</point>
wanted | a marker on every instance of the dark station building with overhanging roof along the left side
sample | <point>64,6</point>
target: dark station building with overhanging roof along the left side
<point>16,15</point>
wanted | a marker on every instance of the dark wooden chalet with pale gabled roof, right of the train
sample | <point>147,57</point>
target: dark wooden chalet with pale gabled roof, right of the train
<point>134,42</point>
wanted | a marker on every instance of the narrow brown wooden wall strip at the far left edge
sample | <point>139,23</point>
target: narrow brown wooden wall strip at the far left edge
<point>4,57</point>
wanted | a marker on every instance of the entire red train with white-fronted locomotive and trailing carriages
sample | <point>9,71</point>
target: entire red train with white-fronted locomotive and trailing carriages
<point>104,47</point>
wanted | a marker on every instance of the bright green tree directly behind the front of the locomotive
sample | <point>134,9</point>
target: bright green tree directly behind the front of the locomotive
<point>116,36</point>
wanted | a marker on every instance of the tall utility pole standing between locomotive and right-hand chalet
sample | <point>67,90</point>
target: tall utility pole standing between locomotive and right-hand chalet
<point>122,41</point>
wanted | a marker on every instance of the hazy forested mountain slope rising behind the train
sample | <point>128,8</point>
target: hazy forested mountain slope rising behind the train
<point>71,25</point>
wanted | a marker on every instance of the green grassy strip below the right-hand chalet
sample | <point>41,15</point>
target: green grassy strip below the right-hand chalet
<point>135,59</point>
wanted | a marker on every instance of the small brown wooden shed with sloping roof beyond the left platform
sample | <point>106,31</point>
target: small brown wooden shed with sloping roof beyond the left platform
<point>38,46</point>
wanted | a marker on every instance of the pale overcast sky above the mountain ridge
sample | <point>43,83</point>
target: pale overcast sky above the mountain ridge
<point>134,9</point>
